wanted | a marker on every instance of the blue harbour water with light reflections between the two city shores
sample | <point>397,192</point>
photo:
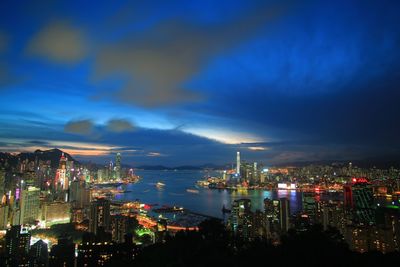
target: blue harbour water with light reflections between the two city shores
<point>207,201</point>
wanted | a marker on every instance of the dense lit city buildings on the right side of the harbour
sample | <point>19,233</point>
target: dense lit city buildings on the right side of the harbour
<point>365,210</point>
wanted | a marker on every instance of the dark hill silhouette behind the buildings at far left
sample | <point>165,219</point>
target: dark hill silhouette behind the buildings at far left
<point>52,155</point>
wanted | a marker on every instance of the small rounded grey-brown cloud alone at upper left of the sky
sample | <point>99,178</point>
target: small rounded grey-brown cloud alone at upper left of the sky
<point>59,42</point>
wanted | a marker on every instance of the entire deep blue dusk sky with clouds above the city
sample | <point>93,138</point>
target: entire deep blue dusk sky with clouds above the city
<point>191,82</point>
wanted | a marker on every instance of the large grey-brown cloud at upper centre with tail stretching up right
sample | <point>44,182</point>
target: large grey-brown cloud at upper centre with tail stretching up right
<point>156,65</point>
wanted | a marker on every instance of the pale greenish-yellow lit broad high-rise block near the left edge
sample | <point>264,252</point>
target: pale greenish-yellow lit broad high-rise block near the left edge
<point>29,205</point>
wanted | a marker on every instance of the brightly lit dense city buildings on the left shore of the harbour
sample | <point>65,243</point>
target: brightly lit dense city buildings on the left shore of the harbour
<point>35,195</point>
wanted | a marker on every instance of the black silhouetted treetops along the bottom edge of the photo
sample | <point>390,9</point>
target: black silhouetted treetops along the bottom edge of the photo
<point>212,246</point>
